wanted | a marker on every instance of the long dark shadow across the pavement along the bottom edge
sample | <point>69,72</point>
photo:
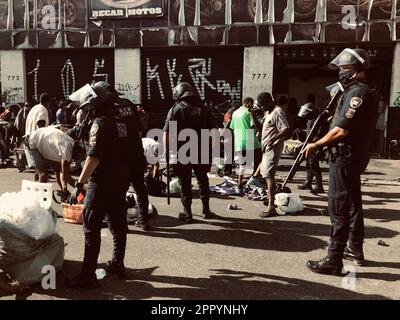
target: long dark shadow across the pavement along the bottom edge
<point>222,284</point>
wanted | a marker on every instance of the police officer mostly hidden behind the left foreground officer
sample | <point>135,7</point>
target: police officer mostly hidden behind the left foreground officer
<point>128,121</point>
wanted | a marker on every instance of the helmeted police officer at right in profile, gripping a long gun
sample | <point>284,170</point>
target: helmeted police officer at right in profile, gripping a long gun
<point>350,137</point>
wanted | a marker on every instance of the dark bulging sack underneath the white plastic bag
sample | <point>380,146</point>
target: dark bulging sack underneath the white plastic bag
<point>23,258</point>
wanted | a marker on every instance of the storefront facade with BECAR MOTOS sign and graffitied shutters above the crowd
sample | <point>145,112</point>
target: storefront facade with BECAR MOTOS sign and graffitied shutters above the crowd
<point>227,49</point>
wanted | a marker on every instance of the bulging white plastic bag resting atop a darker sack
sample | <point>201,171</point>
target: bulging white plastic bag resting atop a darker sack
<point>24,210</point>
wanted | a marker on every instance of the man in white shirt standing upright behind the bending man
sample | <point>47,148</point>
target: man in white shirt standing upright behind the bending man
<point>38,117</point>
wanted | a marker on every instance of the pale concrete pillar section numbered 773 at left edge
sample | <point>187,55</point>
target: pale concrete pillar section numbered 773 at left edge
<point>13,76</point>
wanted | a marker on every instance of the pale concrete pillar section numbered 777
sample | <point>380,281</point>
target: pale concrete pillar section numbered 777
<point>258,69</point>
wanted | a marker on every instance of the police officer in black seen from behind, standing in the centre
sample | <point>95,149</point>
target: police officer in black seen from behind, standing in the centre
<point>189,113</point>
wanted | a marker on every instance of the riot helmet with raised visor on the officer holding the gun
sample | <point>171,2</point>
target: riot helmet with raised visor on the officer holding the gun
<point>356,57</point>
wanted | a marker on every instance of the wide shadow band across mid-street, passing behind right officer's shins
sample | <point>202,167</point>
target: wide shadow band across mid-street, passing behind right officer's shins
<point>273,234</point>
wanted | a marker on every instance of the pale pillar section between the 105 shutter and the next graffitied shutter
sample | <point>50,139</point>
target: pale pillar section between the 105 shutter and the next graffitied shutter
<point>127,66</point>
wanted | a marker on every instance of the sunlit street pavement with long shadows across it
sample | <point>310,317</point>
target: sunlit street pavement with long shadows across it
<point>239,255</point>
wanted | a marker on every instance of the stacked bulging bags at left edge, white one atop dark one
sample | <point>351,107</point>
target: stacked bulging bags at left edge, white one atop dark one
<point>29,242</point>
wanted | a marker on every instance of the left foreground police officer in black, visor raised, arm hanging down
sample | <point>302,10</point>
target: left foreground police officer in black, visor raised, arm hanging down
<point>107,168</point>
